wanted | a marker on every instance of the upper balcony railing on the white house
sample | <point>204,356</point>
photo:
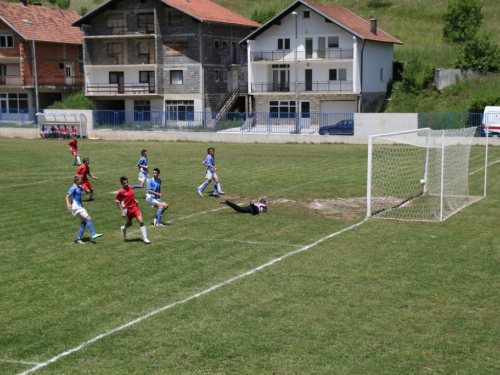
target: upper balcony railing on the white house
<point>309,55</point>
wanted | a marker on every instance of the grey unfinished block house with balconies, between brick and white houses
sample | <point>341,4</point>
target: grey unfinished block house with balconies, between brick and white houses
<point>149,57</point>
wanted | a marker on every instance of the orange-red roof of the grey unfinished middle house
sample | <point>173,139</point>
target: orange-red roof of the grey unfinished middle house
<point>207,11</point>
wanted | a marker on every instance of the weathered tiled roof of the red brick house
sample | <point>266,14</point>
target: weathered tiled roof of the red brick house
<point>51,25</point>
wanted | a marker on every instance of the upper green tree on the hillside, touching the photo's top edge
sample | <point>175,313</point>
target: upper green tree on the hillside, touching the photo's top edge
<point>462,20</point>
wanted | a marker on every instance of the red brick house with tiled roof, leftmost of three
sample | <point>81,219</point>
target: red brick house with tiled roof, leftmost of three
<point>39,57</point>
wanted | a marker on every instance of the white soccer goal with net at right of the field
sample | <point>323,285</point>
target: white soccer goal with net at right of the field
<point>419,175</point>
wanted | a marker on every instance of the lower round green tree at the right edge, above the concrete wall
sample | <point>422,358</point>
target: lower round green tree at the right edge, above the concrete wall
<point>479,53</point>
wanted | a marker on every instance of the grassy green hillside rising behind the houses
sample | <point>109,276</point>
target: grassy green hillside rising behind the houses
<point>418,24</point>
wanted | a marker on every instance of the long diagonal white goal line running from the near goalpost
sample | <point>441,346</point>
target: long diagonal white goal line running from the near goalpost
<point>167,307</point>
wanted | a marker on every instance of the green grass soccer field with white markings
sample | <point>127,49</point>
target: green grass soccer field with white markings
<point>308,288</point>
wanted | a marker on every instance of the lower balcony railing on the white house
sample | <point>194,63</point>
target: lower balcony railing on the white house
<point>312,86</point>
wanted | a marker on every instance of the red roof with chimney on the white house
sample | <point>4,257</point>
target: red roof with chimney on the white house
<point>352,22</point>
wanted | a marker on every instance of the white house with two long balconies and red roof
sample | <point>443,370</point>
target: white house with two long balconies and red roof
<point>318,58</point>
